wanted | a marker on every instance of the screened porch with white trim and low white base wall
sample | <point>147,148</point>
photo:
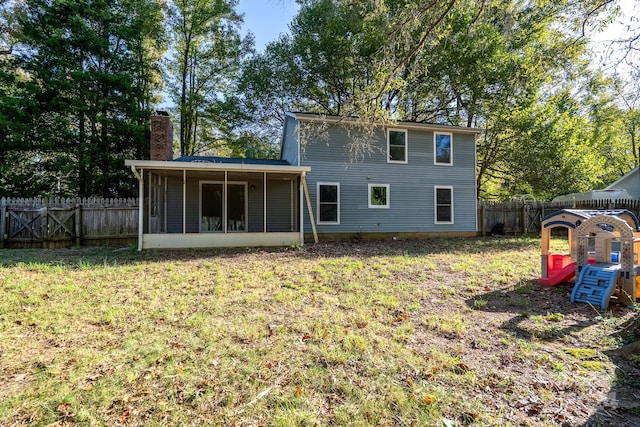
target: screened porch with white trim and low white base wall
<point>196,205</point>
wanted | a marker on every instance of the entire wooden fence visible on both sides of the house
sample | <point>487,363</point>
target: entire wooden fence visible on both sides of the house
<point>59,222</point>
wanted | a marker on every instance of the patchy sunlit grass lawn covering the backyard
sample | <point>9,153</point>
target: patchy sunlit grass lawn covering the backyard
<point>432,332</point>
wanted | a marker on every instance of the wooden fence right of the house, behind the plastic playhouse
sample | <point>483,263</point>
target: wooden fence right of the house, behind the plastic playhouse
<point>524,217</point>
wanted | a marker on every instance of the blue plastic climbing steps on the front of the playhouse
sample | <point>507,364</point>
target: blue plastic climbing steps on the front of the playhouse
<point>595,284</point>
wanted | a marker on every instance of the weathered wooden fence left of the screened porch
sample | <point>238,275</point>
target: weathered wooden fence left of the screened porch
<point>60,222</point>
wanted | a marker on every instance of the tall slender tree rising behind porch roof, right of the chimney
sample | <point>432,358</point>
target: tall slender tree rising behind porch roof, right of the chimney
<point>206,55</point>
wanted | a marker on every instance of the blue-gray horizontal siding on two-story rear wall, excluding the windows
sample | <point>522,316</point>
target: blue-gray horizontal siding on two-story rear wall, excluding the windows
<point>411,185</point>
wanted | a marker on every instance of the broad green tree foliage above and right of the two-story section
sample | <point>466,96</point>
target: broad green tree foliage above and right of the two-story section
<point>507,67</point>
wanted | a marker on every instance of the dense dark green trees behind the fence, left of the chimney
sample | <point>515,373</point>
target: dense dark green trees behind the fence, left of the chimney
<point>83,77</point>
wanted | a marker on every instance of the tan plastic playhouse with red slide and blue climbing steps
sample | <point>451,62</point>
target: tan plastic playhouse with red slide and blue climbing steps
<point>604,251</point>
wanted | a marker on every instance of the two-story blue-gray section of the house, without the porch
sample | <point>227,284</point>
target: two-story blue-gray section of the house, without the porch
<point>419,179</point>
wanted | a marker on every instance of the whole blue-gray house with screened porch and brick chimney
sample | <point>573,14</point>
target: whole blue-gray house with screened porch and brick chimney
<point>418,179</point>
